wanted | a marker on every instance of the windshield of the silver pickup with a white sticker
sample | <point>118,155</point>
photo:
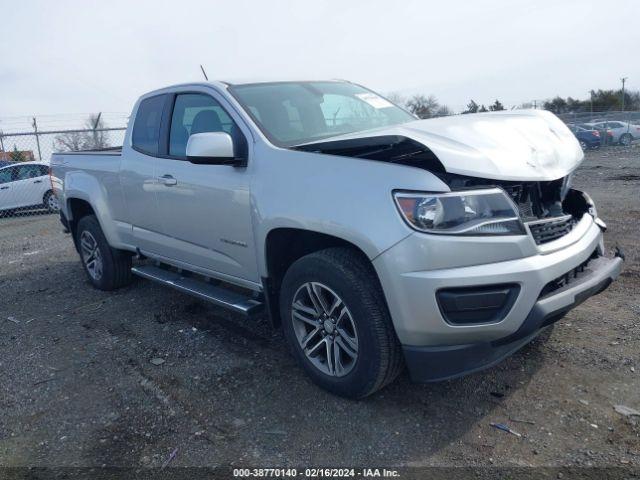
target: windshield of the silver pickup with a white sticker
<point>292,113</point>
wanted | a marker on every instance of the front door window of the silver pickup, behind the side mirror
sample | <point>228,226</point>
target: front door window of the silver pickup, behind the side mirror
<point>196,113</point>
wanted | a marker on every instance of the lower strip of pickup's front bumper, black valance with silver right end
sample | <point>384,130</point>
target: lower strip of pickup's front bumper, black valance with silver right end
<point>428,364</point>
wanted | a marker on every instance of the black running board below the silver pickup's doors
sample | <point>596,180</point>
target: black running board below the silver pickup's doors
<point>202,289</point>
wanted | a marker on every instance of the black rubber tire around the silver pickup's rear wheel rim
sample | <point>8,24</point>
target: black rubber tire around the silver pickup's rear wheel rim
<point>115,264</point>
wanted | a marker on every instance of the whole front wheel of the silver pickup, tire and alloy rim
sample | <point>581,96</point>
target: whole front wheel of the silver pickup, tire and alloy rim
<point>337,323</point>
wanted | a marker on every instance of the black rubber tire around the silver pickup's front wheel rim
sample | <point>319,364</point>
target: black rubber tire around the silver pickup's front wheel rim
<point>351,276</point>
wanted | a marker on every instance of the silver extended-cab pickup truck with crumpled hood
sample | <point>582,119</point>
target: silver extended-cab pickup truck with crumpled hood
<point>374,239</point>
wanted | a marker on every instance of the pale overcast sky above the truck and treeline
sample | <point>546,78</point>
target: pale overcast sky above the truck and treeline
<point>88,56</point>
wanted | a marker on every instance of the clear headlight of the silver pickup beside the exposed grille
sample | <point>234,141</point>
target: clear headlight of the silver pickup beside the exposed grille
<point>469,212</point>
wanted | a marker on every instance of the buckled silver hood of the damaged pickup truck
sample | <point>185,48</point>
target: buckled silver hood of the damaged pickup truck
<point>529,145</point>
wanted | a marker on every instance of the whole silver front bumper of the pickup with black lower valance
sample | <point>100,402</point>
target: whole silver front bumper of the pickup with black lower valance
<point>413,271</point>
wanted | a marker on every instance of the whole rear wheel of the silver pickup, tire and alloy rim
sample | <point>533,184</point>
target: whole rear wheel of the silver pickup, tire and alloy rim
<point>106,267</point>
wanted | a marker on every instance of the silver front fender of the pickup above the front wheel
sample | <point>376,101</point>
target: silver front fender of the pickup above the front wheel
<point>344,197</point>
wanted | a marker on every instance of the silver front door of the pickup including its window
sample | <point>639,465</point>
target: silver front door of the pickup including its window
<point>205,209</point>
